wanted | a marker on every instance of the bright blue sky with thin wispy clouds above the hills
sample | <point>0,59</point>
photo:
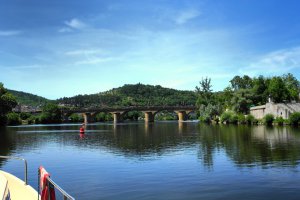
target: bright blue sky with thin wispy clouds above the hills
<point>62,48</point>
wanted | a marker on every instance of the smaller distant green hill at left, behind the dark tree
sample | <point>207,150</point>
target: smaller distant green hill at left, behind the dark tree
<point>28,99</point>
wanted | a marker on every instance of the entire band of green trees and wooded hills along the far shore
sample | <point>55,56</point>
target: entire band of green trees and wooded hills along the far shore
<point>231,105</point>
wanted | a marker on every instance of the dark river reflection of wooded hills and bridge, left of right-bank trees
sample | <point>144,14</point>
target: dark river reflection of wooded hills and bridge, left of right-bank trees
<point>128,139</point>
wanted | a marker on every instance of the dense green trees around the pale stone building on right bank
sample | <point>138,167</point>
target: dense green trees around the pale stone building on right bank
<point>234,102</point>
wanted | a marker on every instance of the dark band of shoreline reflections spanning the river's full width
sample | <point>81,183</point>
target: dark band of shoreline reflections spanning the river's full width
<point>246,146</point>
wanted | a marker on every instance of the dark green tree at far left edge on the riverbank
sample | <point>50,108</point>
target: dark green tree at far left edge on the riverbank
<point>7,103</point>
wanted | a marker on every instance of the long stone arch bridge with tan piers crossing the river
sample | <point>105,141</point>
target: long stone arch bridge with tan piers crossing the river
<point>118,113</point>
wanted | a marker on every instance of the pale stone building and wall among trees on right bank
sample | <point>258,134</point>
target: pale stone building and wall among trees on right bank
<point>277,109</point>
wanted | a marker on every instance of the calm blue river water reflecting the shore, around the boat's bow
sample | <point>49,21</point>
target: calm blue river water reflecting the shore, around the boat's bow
<point>163,160</point>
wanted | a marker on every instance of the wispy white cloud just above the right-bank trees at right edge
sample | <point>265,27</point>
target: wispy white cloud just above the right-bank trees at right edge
<point>276,62</point>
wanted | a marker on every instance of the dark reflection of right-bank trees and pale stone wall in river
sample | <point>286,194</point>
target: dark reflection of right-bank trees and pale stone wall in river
<point>249,146</point>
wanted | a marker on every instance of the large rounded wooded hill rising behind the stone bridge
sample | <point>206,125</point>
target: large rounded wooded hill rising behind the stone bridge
<point>133,95</point>
